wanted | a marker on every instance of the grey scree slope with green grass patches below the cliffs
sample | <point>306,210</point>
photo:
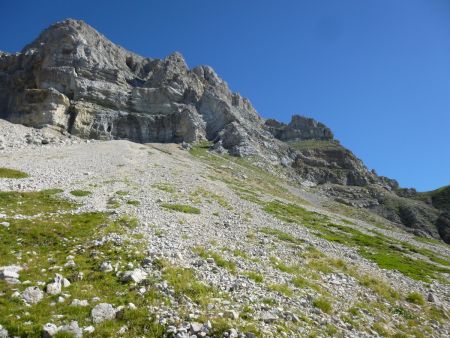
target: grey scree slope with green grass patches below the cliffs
<point>118,239</point>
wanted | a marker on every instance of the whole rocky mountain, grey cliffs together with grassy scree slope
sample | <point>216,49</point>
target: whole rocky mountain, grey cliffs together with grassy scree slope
<point>142,198</point>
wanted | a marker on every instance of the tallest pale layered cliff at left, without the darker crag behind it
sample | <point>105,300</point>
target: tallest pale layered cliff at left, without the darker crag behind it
<point>76,80</point>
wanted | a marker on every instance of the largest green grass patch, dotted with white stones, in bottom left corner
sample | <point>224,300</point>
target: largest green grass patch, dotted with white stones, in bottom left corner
<point>45,241</point>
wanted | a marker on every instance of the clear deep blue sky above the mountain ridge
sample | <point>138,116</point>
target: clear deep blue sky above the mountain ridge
<point>376,72</point>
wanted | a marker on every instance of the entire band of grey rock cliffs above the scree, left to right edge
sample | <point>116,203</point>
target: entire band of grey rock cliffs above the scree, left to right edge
<point>75,80</point>
